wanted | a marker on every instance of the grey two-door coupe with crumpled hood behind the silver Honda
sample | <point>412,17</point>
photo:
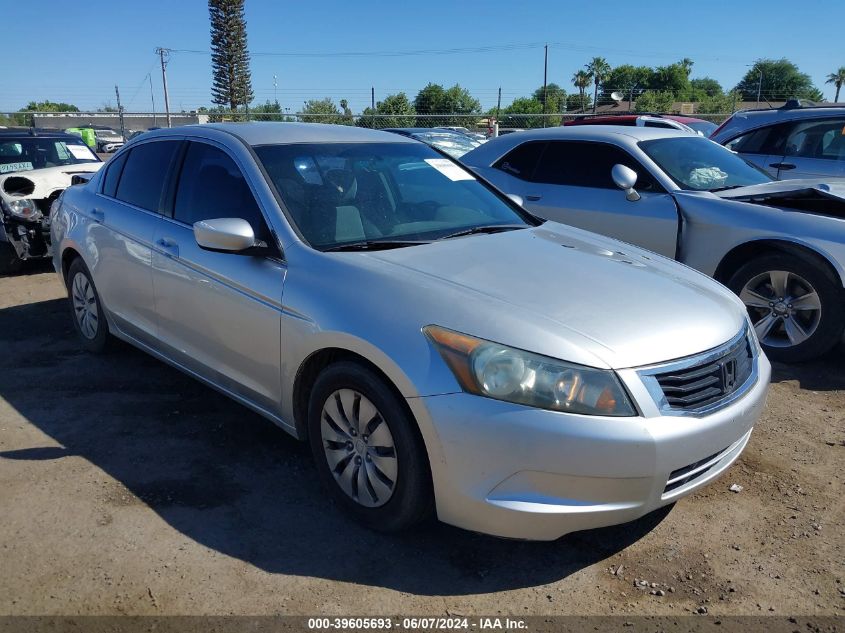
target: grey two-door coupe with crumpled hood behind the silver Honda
<point>779,245</point>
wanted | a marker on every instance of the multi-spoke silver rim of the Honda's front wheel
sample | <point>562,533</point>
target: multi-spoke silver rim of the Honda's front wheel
<point>359,448</point>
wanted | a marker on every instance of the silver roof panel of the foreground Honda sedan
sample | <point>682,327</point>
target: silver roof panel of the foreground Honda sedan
<point>275,133</point>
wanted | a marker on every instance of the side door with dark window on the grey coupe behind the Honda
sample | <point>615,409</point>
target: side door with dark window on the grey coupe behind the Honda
<point>572,184</point>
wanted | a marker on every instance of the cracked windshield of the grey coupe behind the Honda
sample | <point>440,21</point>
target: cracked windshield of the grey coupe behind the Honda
<point>696,164</point>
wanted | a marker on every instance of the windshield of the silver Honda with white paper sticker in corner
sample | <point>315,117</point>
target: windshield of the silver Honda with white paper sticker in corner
<point>354,193</point>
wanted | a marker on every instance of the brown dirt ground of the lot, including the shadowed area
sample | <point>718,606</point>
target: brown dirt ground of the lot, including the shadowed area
<point>128,488</point>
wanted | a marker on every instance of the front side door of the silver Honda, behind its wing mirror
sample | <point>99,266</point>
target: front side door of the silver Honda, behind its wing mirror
<point>219,313</point>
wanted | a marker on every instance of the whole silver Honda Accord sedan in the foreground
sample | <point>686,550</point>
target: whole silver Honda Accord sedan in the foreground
<point>439,347</point>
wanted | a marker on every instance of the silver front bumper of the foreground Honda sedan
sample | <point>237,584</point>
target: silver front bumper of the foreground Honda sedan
<point>518,472</point>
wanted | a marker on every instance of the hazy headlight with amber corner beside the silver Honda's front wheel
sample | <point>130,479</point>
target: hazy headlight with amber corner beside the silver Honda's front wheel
<point>504,373</point>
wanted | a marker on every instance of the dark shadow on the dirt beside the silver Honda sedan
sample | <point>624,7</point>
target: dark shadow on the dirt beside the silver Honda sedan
<point>234,482</point>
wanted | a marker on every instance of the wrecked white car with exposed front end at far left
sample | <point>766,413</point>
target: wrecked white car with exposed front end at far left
<point>35,167</point>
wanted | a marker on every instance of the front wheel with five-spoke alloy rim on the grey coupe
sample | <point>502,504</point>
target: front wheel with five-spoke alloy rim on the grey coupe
<point>773,287</point>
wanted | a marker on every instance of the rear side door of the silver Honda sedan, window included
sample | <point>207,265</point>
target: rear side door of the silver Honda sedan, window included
<point>124,218</point>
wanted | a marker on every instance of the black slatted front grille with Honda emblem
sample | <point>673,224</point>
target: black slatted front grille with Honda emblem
<point>699,386</point>
